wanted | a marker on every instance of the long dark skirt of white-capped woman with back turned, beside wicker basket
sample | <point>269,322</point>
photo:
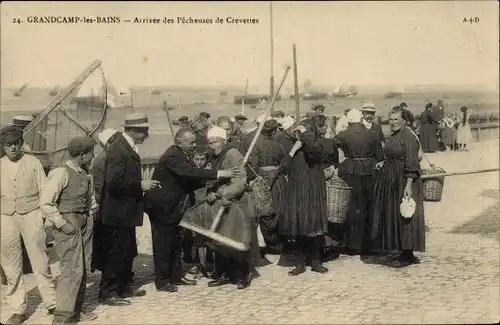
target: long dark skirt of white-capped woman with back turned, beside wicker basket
<point>358,216</point>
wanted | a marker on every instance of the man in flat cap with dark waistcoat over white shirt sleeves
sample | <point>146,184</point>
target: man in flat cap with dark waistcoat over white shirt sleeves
<point>67,200</point>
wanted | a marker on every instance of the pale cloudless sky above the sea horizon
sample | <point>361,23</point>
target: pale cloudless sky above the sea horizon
<point>362,43</point>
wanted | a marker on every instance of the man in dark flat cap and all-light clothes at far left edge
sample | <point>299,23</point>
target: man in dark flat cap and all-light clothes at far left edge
<point>22,180</point>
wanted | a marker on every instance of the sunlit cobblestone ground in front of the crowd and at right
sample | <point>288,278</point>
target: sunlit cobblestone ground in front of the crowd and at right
<point>457,281</point>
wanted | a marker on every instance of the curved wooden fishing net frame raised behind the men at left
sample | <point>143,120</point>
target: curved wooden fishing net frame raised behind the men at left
<point>57,104</point>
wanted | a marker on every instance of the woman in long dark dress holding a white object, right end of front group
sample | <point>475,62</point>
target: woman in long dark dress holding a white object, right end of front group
<point>399,178</point>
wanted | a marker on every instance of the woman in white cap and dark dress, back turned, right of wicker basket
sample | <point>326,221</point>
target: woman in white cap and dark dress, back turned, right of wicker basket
<point>363,149</point>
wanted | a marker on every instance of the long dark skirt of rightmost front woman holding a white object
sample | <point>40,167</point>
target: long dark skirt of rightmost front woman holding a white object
<point>390,230</point>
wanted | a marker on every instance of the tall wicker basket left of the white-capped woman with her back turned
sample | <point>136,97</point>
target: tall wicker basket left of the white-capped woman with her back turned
<point>338,195</point>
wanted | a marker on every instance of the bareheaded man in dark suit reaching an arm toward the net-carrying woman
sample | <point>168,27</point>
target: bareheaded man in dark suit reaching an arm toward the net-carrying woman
<point>165,206</point>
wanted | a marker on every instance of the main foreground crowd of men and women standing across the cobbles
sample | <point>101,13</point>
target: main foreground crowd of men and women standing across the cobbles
<point>95,204</point>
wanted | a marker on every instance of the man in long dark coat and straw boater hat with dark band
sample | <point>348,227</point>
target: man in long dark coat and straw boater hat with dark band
<point>121,210</point>
